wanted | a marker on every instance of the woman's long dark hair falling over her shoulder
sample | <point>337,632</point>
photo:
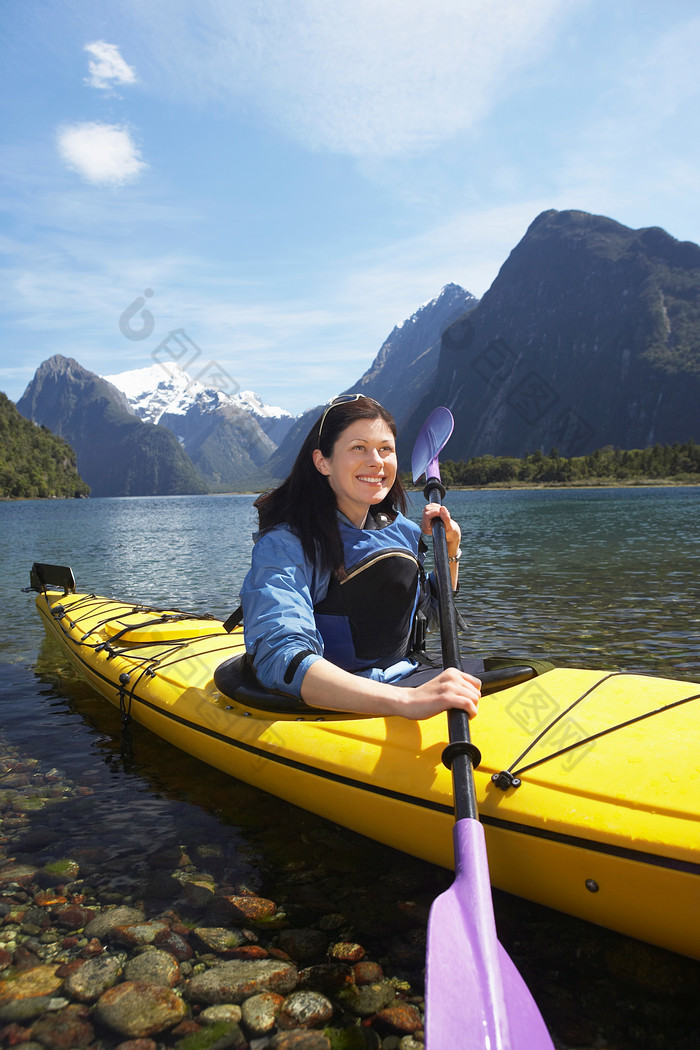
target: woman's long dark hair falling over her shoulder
<point>306,501</point>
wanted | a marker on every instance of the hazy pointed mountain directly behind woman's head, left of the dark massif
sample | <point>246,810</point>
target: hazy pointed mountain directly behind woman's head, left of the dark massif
<point>406,367</point>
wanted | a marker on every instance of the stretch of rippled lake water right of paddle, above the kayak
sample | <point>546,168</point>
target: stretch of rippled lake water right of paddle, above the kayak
<point>588,578</point>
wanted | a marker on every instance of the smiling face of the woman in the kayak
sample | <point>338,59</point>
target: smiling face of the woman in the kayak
<point>362,469</point>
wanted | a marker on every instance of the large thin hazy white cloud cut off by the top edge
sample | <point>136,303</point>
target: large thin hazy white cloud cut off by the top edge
<point>364,78</point>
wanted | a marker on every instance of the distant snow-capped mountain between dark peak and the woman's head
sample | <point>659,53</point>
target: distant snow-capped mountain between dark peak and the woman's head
<point>227,436</point>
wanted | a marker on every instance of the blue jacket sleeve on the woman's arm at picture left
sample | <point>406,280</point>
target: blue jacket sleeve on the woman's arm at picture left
<point>278,599</point>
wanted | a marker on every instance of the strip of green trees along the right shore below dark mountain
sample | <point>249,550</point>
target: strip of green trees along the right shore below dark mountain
<point>678,464</point>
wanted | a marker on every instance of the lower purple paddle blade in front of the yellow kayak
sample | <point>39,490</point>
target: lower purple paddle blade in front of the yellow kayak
<point>476,998</point>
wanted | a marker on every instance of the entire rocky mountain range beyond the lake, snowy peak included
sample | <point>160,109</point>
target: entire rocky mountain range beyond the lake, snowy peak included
<point>588,338</point>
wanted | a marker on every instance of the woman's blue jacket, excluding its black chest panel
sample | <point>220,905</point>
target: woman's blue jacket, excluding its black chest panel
<point>282,590</point>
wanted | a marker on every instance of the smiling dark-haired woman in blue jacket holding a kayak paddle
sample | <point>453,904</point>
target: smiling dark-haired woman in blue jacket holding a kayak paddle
<point>336,584</point>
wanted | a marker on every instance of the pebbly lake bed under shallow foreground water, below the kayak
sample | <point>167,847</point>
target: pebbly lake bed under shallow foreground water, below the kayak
<point>154,952</point>
